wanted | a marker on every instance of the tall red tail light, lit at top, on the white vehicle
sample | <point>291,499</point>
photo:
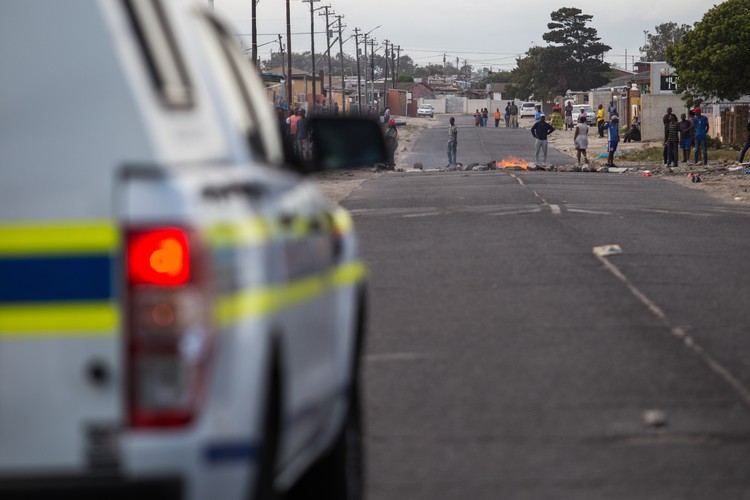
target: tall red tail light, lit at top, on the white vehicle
<point>168,334</point>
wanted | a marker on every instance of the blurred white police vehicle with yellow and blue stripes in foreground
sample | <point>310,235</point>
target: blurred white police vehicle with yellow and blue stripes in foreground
<point>181,312</point>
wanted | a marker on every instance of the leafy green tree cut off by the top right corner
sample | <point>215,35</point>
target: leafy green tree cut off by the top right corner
<point>713,59</point>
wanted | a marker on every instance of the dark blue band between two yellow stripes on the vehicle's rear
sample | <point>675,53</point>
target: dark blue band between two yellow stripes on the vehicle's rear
<point>59,279</point>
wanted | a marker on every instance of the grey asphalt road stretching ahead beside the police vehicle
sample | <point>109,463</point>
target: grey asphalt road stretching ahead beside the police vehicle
<point>506,361</point>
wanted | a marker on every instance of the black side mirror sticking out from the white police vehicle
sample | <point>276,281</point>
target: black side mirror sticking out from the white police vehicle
<point>345,143</point>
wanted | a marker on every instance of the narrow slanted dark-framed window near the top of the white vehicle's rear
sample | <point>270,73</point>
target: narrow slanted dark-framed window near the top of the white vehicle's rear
<point>165,65</point>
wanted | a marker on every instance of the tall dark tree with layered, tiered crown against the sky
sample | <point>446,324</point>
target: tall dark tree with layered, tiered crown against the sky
<point>571,60</point>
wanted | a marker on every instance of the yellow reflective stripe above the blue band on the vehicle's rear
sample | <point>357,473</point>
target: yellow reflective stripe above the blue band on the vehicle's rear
<point>48,238</point>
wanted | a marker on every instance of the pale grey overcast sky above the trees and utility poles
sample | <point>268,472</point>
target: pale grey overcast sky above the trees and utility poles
<point>486,33</point>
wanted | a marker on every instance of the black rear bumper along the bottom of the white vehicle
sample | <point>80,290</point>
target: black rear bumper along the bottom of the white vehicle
<point>93,487</point>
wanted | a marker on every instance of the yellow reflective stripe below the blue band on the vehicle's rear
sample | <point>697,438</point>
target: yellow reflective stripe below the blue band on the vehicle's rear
<point>82,319</point>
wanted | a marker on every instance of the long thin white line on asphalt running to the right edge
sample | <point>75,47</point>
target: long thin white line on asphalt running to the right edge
<point>679,332</point>
